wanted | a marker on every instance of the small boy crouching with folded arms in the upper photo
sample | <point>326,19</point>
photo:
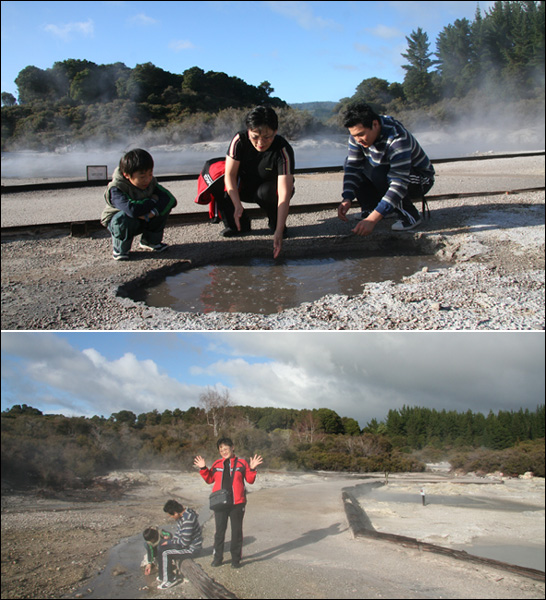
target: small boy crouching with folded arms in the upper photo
<point>136,205</point>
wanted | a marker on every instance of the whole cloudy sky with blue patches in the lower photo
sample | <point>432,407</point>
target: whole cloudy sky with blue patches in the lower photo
<point>358,374</point>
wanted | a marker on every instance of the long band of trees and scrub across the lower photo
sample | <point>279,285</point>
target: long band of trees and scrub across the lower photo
<point>59,451</point>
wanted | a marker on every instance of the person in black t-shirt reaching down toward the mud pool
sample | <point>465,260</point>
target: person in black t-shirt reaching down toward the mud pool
<point>259,169</point>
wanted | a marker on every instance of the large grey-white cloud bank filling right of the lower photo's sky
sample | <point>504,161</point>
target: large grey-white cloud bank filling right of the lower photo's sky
<point>363,375</point>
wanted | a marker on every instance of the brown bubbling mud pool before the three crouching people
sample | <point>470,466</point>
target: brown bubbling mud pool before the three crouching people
<point>265,286</point>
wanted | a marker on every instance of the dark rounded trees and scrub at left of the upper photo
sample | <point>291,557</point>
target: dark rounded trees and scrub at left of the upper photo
<point>78,100</point>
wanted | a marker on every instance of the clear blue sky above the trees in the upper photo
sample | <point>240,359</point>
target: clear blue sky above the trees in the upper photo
<point>308,51</point>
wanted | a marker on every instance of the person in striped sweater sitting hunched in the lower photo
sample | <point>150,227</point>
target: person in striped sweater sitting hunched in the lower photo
<point>186,541</point>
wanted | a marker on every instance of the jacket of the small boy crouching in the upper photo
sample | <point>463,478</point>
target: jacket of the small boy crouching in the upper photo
<point>155,198</point>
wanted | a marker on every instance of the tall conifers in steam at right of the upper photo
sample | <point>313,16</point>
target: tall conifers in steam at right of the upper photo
<point>499,54</point>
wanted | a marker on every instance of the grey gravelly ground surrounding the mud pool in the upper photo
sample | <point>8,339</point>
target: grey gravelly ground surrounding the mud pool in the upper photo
<point>494,246</point>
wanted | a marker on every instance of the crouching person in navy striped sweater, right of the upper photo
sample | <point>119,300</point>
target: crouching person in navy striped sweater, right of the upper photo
<point>385,170</point>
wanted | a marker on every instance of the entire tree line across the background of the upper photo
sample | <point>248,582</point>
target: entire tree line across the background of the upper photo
<point>499,54</point>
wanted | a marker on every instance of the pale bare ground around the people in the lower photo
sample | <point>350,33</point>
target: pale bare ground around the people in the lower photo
<point>297,540</point>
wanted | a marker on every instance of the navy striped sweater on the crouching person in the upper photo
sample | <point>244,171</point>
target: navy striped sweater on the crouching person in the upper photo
<point>396,149</point>
